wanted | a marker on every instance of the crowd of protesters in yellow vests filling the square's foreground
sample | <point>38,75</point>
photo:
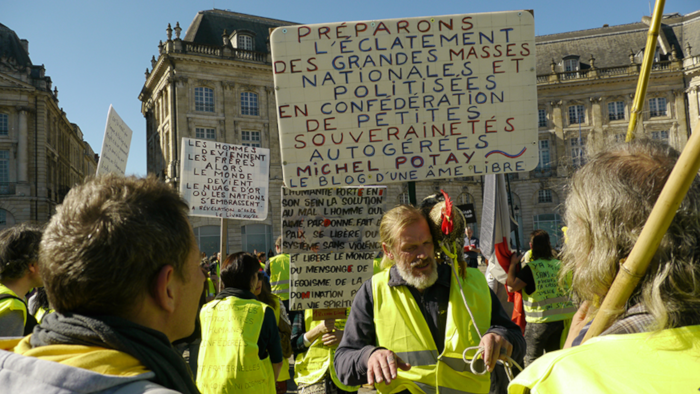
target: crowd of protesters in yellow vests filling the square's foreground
<point>114,296</point>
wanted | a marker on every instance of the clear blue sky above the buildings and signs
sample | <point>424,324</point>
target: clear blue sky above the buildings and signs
<point>96,52</point>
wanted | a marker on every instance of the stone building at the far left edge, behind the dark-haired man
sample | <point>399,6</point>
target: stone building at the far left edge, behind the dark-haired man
<point>42,154</point>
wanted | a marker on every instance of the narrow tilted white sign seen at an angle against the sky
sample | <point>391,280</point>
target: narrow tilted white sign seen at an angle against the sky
<point>115,145</point>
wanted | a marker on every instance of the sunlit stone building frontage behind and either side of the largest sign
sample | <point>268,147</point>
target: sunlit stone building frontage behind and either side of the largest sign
<point>217,83</point>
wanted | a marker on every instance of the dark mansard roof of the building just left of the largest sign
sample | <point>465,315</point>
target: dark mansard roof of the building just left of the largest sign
<point>208,27</point>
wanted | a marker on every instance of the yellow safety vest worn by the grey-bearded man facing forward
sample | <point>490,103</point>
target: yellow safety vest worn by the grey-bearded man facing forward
<point>401,327</point>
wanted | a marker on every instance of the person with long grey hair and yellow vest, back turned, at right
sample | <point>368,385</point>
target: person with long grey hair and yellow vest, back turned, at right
<point>656,339</point>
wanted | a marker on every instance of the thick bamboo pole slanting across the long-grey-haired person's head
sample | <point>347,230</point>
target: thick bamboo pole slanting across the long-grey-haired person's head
<point>634,268</point>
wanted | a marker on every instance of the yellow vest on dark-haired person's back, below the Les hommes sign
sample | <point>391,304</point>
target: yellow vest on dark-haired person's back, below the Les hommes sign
<point>228,359</point>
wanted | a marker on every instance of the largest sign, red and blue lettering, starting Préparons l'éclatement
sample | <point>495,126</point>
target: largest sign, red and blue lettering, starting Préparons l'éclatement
<point>406,99</point>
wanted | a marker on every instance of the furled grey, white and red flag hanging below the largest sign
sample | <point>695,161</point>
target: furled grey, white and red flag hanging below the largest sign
<point>495,238</point>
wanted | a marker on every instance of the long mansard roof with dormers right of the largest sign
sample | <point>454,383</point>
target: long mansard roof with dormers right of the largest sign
<point>611,45</point>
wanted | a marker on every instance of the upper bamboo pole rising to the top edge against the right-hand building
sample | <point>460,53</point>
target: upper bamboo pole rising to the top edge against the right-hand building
<point>645,71</point>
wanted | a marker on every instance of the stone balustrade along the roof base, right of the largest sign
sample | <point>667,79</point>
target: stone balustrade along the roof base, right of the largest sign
<point>610,72</point>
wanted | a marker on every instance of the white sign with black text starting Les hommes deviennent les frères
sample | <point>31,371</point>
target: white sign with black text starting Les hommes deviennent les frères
<point>225,180</point>
